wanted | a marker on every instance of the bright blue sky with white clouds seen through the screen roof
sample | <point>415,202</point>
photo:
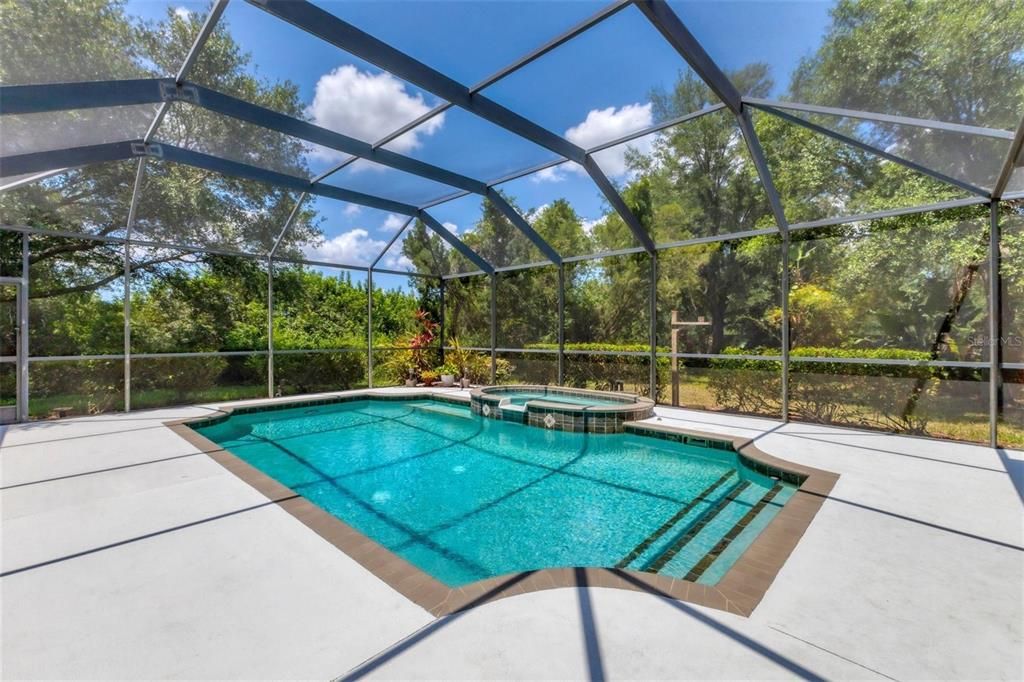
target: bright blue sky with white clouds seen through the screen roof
<point>592,90</point>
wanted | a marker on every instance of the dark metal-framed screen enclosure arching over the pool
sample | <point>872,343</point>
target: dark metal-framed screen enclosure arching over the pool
<point>809,212</point>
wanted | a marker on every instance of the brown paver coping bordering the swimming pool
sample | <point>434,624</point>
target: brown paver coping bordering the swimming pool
<point>740,591</point>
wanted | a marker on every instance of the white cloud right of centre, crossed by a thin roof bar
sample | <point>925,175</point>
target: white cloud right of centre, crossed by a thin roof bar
<point>603,125</point>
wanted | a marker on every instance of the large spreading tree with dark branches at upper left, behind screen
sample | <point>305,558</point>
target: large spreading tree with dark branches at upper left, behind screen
<point>179,204</point>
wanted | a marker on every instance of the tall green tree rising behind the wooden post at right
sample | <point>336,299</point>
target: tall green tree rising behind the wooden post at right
<point>699,182</point>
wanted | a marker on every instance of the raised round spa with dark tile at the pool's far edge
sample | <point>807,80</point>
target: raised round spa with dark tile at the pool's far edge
<point>562,409</point>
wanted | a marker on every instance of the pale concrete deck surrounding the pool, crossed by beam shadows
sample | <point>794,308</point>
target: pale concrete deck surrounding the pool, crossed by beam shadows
<point>129,555</point>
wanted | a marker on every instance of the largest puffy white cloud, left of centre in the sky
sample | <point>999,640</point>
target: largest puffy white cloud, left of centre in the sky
<point>368,107</point>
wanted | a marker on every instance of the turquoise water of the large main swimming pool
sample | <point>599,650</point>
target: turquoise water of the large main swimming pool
<point>466,498</point>
